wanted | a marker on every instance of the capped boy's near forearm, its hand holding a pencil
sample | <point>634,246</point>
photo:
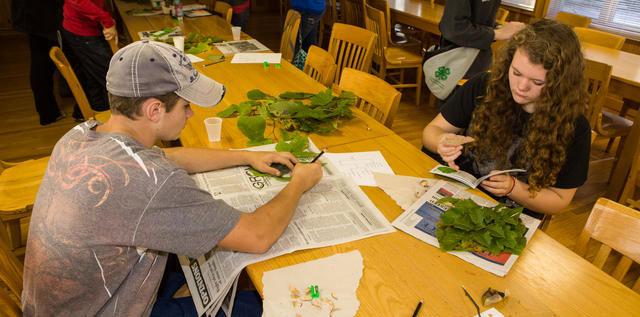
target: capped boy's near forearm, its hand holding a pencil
<point>258,231</point>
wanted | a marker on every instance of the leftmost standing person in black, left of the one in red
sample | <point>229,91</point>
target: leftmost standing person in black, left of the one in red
<point>40,20</point>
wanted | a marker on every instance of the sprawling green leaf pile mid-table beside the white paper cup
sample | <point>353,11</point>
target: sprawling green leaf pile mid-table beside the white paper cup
<point>293,111</point>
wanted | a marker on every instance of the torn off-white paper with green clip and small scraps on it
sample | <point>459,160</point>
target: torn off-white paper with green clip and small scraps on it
<point>337,278</point>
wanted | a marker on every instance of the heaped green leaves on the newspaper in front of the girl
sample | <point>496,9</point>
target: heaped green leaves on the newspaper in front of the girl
<point>466,226</point>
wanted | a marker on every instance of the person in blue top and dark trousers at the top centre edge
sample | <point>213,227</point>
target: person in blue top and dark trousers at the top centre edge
<point>311,12</point>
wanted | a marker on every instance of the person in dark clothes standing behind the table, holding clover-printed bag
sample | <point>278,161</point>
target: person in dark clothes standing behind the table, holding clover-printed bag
<point>471,23</point>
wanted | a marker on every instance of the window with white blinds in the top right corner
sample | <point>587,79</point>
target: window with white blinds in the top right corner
<point>616,16</point>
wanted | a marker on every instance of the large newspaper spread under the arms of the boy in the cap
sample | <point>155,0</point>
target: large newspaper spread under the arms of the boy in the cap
<point>334,211</point>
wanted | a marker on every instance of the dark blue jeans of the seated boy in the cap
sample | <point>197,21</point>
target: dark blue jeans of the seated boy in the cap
<point>247,303</point>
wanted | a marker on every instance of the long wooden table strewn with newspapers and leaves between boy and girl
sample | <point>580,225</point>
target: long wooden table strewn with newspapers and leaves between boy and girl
<point>400,270</point>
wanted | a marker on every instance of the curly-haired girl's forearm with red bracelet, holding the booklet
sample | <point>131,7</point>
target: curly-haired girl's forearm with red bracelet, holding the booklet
<point>549,200</point>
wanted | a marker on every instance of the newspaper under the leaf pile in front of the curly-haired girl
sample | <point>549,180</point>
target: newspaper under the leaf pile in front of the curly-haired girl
<point>421,218</point>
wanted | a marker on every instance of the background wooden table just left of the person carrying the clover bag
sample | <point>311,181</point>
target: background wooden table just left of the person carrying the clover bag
<point>421,14</point>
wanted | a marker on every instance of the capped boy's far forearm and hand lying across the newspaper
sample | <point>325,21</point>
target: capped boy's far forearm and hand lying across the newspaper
<point>195,160</point>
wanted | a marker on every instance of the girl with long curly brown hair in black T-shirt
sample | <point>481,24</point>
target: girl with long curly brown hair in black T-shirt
<point>527,112</point>
